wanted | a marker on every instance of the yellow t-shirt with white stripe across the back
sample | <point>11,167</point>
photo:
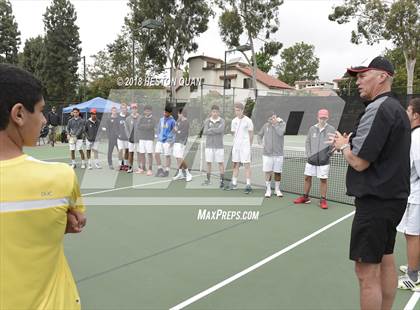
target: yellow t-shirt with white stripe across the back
<point>34,199</point>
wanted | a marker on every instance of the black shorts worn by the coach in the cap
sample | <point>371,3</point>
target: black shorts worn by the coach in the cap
<point>374,228</point>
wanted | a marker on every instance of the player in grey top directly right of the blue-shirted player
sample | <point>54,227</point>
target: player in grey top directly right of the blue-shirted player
<point>181,131</point>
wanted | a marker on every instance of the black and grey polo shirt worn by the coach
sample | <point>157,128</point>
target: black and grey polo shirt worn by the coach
<point>383,138</point>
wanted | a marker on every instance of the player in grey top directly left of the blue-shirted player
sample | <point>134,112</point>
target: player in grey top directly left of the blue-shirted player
<point>147,126</point>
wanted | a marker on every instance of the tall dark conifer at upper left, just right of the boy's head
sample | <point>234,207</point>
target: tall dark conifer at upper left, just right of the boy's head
<point>61,53</point>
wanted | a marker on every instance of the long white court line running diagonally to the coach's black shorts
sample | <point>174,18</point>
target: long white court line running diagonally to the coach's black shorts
<point>257,265</point>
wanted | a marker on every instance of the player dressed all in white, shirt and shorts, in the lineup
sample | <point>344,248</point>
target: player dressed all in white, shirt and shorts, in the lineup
<point>242,129</point>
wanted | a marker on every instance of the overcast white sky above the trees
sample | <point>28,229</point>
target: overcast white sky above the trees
<point>100,21</point>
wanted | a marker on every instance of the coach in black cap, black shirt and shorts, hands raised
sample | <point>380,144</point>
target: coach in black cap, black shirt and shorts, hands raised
<point>378,154</point>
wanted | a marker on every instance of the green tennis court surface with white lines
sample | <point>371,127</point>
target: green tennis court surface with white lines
<point>145,248</point>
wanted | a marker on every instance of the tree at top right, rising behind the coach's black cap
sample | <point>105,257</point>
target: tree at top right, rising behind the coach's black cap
<point>398,22</point>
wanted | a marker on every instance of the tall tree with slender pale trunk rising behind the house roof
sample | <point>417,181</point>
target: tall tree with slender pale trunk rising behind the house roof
<point>250,17</point>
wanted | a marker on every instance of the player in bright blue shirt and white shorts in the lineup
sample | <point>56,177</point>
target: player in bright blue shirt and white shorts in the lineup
<point>165,141</point>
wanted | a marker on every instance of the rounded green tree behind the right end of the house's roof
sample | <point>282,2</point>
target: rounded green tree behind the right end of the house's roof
<point>298,63</point>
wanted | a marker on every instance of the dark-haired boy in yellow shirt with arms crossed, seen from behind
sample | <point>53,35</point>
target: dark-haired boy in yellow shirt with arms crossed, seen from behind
<point>39,203</point>
